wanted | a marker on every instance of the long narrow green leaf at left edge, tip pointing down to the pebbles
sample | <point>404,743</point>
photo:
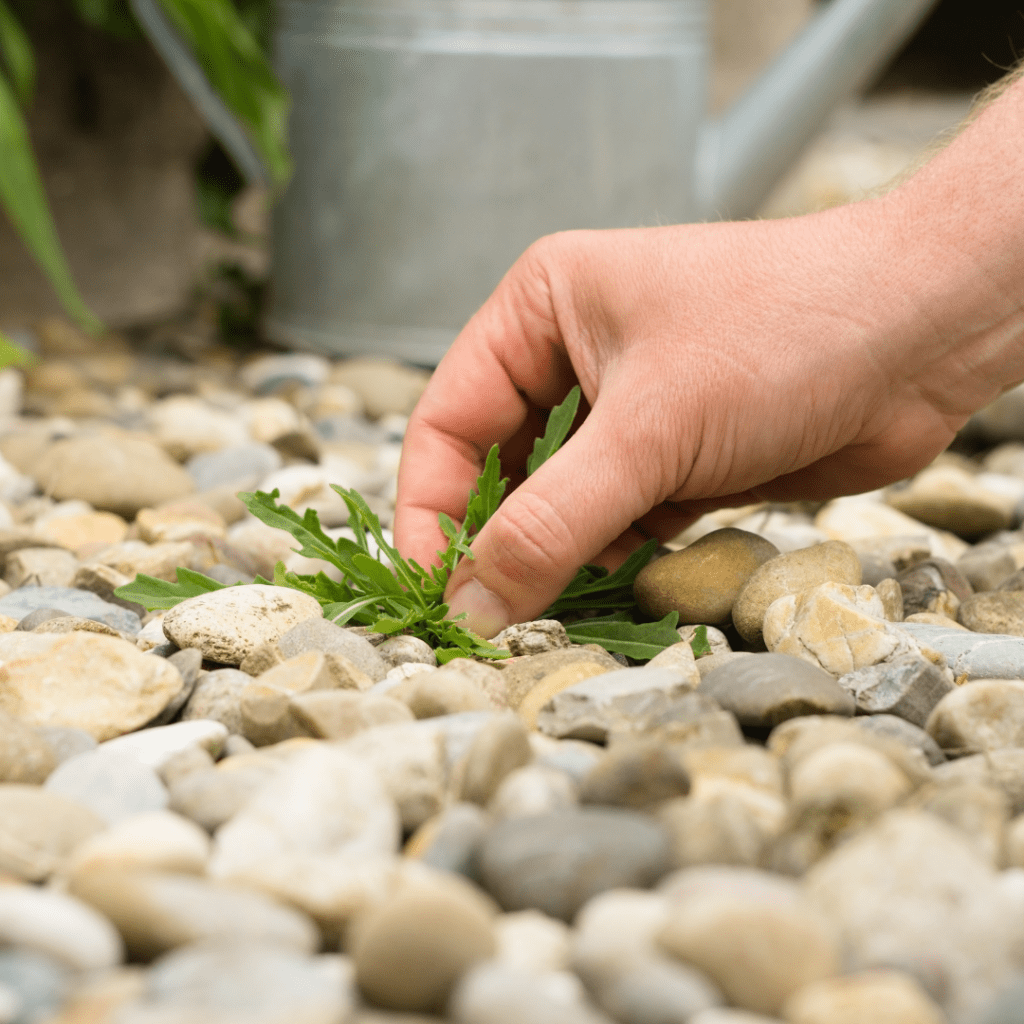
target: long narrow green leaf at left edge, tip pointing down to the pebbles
<point>24,200</point>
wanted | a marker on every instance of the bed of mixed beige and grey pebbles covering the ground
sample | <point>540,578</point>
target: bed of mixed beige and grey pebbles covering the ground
<point>236,813</point>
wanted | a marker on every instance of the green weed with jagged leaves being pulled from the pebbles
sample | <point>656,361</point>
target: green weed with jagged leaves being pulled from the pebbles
<point>391,594</point>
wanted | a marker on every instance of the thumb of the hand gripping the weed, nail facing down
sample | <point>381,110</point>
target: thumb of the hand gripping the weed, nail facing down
<point>568,513</point>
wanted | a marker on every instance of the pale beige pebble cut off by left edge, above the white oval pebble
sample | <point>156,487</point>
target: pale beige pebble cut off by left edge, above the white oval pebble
<point>39,830</point>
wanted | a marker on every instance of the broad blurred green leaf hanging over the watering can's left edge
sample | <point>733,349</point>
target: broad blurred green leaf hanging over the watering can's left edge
<point>238,69</point>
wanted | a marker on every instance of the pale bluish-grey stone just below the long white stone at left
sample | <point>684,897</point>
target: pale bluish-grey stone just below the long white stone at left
<point>112,786</point>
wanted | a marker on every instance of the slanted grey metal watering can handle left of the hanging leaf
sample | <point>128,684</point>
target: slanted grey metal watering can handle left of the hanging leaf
<point>191,77</point>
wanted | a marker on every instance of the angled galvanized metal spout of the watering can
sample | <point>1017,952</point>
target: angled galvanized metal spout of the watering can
<point>743,154</point>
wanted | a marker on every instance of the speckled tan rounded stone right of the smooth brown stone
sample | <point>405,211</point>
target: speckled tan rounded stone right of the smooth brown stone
<point>833,562</point>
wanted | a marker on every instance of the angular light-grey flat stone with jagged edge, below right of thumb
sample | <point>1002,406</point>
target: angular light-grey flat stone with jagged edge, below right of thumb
<point>592,709</point>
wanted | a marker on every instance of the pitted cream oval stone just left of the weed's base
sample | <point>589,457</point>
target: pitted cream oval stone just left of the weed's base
<point>228,624</point>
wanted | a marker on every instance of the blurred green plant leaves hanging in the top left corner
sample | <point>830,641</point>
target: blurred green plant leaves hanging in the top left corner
<point>230,40</point>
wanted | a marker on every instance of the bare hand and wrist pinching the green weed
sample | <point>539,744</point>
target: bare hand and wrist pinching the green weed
<point>722,365</point>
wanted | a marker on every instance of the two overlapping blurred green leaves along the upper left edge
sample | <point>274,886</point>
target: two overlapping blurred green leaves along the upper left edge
<point>22,194</point>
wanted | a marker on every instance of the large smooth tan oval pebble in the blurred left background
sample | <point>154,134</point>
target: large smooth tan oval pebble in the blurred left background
<point>114,473</point>
